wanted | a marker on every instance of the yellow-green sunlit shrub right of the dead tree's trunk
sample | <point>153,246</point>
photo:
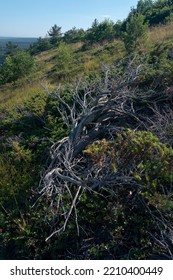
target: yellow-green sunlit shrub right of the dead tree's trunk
<point>142,157</point>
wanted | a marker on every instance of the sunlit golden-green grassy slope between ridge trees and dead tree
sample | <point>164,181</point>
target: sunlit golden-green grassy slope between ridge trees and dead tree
<point>51,70</point>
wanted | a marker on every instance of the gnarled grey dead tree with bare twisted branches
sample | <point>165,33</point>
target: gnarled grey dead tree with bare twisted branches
<point>98,109</point>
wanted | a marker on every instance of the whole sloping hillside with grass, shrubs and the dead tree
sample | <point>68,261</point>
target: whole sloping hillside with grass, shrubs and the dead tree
<point>86,152</point>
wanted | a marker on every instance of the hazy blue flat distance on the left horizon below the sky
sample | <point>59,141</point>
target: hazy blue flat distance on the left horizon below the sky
<point>23,43</point>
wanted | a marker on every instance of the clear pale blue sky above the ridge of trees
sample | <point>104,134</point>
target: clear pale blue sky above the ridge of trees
<point>33,18</point>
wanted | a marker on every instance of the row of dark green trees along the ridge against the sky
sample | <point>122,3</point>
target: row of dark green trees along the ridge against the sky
<point>147,13</point>
